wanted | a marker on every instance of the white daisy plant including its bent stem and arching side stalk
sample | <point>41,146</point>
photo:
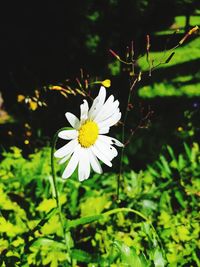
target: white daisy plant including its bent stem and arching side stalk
<point>87,144</point>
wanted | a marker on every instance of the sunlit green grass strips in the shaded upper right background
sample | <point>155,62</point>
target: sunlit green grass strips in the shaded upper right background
<point>181,75</point>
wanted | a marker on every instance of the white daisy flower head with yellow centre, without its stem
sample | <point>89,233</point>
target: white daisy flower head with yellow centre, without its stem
<point>87,140</point>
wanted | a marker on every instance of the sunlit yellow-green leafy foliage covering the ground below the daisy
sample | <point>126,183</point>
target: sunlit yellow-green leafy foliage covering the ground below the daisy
<point>31,233</point>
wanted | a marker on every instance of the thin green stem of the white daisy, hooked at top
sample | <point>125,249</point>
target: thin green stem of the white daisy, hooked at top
<point>54,184</point>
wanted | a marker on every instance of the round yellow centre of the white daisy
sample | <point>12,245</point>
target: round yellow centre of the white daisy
<point>88,134</point>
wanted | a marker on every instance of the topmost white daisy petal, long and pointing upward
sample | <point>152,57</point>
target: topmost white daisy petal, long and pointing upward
<point>97,103</point>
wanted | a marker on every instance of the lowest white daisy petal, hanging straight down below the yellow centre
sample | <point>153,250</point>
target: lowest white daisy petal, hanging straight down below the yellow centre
<point>84,165</point>
